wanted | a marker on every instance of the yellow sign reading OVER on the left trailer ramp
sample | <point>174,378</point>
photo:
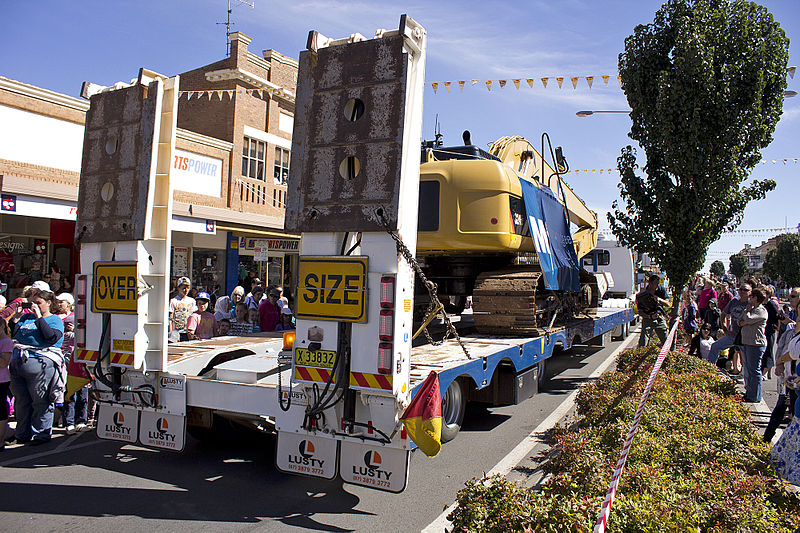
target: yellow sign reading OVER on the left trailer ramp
<point>114,287</point>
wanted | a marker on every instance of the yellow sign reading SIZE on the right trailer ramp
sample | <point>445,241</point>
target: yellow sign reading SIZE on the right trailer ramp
<point>333,288</point>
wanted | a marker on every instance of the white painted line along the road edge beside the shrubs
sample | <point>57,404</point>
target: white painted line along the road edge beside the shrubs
<point>441,523</point>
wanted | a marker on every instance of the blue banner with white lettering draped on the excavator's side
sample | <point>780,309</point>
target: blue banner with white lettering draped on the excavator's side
<point>550,233</point>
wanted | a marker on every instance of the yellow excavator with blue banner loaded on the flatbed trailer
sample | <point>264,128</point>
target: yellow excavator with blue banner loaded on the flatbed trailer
<point>491,225</point>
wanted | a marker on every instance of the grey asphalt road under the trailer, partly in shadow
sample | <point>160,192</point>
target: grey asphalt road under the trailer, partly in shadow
<point>81,483</point>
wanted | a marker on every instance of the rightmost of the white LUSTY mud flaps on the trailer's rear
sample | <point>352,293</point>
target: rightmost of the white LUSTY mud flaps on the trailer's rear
<point>376,467</point>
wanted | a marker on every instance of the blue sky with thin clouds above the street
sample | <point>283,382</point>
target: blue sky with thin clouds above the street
<point>57,45</point>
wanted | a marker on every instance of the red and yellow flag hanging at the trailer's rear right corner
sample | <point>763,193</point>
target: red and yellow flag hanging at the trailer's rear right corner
<point>423,417</point>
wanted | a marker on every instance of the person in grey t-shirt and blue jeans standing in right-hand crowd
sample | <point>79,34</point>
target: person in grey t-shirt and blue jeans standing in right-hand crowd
<point>754,342</point>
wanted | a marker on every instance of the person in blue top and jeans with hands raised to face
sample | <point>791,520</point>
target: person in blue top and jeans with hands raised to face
<point>38,372</point>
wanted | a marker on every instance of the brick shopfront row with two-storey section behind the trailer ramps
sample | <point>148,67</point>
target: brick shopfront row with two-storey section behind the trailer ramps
<point>239,138</point>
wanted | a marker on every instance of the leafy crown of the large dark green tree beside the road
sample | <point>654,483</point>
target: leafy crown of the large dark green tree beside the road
<point>705,82</point>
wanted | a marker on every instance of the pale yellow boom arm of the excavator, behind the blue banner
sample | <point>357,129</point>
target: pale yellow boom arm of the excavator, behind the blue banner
<point>519,154</point>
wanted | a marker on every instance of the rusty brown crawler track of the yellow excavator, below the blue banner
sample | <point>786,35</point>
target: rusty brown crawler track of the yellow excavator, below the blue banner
<point>510,302</point>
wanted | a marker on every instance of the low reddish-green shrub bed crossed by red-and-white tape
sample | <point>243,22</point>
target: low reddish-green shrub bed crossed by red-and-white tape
<point>696,464</point>
